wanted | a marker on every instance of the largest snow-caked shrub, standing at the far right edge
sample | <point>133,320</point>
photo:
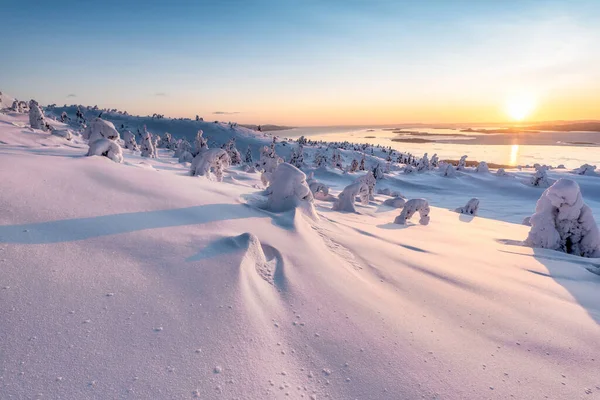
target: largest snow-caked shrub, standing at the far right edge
<point>562,221</point>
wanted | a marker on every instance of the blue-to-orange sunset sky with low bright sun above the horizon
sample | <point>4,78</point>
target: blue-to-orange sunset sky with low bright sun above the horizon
<point>307,62</point>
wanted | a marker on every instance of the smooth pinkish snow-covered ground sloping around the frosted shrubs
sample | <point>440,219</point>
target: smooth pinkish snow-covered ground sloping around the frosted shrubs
<point>136,280</point>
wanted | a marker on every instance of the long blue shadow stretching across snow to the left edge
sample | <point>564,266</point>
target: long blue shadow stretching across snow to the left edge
<point>84,228</point>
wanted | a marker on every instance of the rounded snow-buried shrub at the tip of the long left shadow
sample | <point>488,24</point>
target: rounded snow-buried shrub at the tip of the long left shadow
<point>288,189</point>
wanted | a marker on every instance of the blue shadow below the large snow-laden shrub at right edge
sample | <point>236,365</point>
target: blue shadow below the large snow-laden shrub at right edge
<point>574,274</point>
